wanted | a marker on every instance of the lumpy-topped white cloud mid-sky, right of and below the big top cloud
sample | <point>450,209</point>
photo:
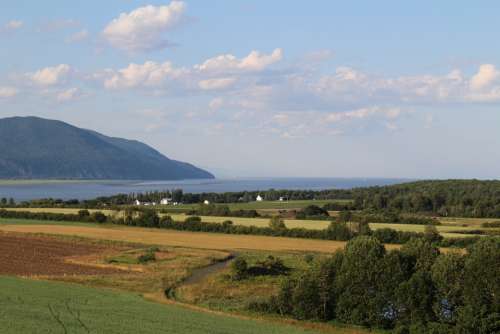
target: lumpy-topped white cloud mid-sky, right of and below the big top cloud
<point>255,61</point>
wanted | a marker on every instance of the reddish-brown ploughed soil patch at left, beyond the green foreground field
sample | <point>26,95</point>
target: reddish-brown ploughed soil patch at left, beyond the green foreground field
<point>25,255</point>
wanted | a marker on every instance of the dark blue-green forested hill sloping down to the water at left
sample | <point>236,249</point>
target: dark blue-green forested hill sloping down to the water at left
<point>32,147</point>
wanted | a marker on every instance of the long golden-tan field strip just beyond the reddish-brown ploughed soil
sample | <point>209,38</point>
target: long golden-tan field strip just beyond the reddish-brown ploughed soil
<point>186,239</point>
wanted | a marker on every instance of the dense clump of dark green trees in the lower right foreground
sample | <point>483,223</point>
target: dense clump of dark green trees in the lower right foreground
<point>412,290</point>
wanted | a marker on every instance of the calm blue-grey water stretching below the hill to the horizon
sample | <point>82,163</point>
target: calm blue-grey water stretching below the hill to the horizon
<point>92,189</point>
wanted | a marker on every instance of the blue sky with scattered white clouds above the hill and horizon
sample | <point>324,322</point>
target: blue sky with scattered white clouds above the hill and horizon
<point>268,88</point>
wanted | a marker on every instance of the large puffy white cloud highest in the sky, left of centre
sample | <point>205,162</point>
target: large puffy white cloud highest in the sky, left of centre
<point>143,28</point>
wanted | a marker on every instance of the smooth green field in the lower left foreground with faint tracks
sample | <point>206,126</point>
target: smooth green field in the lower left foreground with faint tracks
<point>46,307</point>
